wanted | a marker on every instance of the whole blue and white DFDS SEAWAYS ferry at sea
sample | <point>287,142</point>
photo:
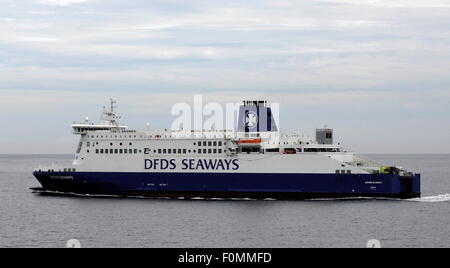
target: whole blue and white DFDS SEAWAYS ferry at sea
<point>253,161</point>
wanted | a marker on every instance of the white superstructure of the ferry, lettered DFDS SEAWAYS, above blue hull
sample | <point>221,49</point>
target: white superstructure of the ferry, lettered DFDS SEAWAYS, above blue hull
<point>111,147</point>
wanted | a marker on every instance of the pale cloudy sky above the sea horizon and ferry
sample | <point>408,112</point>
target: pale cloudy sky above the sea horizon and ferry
<point>377,71</point>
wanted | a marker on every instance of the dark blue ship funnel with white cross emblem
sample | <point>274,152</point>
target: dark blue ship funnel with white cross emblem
<point>256,116</point>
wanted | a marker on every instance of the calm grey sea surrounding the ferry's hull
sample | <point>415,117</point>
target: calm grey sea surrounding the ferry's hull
<point>32,220</point>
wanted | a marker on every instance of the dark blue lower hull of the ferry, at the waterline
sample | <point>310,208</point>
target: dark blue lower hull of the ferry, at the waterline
<point>232,185</point>
